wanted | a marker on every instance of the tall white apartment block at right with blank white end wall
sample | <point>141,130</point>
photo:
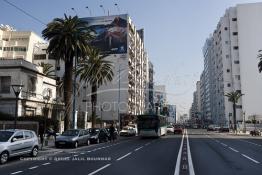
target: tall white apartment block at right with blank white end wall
<point>231,63</point>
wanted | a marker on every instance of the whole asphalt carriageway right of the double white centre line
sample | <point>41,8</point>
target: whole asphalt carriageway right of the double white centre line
<point>219,153</point>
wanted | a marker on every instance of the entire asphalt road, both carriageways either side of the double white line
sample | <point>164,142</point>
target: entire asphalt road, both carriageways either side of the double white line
<point>211,154</point>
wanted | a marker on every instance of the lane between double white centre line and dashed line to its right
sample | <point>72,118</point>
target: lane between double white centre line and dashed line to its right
<point>212,156</point>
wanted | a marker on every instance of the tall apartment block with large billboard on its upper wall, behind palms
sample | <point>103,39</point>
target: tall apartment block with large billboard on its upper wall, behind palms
<point>125,96</point>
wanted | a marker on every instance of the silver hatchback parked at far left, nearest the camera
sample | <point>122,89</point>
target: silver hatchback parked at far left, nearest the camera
<point>17,142</point>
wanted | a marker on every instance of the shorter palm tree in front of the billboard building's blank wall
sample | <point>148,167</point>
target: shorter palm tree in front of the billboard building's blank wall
<point>96,71</point>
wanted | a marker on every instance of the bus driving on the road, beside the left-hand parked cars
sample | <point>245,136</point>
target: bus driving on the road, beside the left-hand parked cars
<point>151,125</point>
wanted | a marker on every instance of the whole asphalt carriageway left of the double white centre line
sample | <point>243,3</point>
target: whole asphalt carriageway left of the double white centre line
<point>131,156</point>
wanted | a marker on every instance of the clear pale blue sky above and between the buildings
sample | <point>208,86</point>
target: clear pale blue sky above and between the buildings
<point>175,31</point>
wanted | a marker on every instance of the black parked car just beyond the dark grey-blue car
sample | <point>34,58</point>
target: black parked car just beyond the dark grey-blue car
<point>98,135</point>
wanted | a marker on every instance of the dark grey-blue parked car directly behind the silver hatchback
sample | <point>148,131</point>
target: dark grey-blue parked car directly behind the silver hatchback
<point>73,138</point>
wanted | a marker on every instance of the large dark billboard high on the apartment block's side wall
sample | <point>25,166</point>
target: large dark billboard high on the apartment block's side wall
<point>110,33</point>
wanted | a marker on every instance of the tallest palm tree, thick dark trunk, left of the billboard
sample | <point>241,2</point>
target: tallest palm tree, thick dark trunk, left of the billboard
<point>68,38</point>
